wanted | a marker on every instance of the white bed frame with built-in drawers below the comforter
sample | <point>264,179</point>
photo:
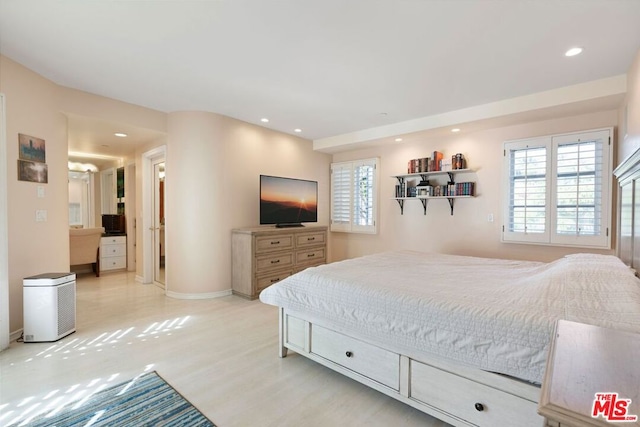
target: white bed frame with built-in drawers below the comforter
<point>458,395</point>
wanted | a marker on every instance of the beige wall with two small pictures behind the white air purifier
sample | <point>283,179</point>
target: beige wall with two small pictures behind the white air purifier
<point>34,247</point>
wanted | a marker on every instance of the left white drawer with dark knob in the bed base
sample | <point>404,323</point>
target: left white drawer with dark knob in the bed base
<point>373,362</point>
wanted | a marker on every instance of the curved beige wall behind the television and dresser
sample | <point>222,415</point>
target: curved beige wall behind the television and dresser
<point>213,165</point>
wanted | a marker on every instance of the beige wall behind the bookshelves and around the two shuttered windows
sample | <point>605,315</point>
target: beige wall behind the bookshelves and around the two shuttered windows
<point>467,232</point>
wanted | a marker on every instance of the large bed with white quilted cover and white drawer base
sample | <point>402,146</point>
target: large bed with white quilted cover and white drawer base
<point>464,339</point>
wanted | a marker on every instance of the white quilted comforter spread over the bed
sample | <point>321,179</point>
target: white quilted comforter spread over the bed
<point>492,314</point>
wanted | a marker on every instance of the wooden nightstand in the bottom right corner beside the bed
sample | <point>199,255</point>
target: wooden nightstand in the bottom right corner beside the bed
<point>587,363</point>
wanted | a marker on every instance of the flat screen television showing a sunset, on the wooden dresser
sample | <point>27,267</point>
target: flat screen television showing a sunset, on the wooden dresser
<point>287,202</point>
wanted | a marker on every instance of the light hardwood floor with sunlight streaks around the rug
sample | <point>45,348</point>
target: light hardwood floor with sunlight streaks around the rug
<point>221,354</point>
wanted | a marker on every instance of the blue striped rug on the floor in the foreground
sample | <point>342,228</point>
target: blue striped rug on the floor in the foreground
<point>144,401</point>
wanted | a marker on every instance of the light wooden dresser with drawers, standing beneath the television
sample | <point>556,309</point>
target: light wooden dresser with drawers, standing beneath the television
<point>262,256</point>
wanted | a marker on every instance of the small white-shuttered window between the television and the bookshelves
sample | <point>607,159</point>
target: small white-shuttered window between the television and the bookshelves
<point>353,196</point>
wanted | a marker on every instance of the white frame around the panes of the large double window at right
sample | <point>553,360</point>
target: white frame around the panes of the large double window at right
<point>550,236</point>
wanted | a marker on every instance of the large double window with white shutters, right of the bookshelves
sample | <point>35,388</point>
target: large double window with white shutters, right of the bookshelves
<point>559,190</point>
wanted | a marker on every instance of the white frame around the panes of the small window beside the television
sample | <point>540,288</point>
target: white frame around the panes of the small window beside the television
<point>343,205</point>
